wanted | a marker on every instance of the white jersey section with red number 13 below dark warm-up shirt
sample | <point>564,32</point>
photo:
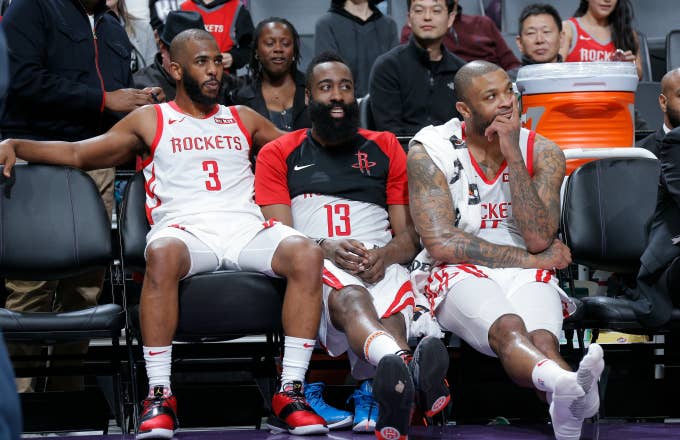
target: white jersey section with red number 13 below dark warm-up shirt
<point>318,215</point>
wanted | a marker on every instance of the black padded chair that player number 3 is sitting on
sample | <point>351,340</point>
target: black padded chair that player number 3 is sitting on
<point>215,306</point>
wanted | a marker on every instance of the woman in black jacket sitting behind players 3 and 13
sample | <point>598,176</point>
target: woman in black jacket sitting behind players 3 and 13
<point>277,90</point>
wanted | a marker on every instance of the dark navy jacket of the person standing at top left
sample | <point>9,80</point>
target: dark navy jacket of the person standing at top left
<point>59,71</point>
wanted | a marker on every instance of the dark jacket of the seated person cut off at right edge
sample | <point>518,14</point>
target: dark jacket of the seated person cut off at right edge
<point>655,302</point>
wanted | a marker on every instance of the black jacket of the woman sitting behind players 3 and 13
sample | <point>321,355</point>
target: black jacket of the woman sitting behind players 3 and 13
<point>251,95</point>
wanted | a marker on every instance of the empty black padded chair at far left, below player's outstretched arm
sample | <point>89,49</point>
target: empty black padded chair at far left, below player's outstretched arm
<point>54,226</point>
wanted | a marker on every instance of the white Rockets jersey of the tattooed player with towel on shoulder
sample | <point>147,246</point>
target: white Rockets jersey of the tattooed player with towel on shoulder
<point>497,224</point>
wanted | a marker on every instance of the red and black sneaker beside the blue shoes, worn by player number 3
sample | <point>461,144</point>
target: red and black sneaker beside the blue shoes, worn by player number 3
<point>293,414</point>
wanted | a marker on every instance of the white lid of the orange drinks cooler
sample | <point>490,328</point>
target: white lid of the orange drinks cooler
<point>577,77</point>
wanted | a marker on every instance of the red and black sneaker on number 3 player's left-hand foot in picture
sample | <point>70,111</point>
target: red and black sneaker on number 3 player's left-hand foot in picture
<point>159,416</point>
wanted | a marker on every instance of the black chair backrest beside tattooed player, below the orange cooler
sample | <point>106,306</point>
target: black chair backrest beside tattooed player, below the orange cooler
<point>607,206</point>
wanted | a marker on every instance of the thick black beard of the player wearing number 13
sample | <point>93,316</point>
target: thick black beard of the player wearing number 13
<point>334,130</point>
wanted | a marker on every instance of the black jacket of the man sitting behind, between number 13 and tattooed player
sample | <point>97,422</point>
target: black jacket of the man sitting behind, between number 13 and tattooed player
<point>408,92</point>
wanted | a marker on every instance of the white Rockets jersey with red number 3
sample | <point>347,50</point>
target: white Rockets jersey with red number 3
<point>199,176</point>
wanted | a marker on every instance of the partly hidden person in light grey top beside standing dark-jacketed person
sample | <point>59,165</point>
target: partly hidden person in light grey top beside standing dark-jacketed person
<point>138,30</point>
